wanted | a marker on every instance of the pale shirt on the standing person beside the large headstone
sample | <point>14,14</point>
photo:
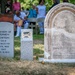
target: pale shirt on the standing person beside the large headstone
<point>41,11</point>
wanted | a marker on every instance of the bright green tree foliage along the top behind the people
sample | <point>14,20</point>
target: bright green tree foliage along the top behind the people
<point>48,3</point>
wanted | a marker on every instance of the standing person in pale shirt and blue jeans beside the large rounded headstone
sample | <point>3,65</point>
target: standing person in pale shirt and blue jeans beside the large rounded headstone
<point>41,13</point>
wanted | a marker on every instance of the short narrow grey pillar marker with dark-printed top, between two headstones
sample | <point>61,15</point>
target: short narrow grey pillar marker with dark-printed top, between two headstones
<point>26,44</point>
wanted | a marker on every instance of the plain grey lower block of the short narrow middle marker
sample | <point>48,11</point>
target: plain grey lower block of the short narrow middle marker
<point>27,50</point>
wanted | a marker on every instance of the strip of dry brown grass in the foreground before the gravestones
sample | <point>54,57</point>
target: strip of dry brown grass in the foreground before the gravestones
<point>35,68</point>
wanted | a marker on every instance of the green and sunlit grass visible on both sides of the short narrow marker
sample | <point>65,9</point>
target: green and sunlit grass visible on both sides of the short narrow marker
<point>38,46</point>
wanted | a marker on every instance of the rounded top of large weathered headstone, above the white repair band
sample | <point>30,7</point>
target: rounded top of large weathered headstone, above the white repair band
<point>61,16</point>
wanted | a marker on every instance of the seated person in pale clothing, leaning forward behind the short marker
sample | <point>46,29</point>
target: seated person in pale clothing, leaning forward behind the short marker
<point>20,17</point>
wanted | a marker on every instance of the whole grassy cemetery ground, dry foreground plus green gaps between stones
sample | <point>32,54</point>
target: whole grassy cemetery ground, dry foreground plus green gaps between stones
<point>16,66</point>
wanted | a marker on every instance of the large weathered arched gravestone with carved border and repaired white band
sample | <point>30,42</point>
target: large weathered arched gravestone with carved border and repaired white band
<point>60,34</point>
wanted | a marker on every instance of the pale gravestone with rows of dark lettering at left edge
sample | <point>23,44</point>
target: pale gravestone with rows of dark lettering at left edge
<point>6,39</point>
